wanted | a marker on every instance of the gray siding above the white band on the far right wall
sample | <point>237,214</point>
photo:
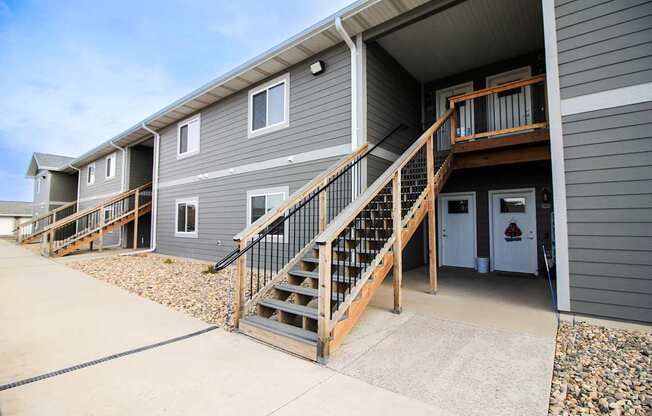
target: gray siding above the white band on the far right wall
<point>603,45</point>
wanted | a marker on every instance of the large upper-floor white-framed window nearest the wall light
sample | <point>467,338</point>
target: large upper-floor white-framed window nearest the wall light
<point>269,108</point>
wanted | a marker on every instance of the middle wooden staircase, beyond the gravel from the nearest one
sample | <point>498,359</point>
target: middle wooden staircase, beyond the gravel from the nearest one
<point>76,231</point>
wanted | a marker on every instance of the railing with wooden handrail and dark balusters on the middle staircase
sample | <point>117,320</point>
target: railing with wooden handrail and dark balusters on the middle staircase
<point>93,220</point>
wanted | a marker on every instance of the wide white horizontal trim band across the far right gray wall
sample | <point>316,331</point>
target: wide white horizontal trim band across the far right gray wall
<point>618,97</point>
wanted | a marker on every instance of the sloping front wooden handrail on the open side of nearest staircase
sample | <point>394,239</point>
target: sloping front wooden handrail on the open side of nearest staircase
<point>343,219</point>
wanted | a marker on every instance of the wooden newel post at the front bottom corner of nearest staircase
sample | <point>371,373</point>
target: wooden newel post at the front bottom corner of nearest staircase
<point>324,305</point>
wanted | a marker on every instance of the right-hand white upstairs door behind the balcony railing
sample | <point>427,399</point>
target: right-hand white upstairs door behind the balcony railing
<point>511,108</point>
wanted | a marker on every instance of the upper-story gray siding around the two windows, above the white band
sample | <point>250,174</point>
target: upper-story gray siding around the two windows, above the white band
<point>320,117</point>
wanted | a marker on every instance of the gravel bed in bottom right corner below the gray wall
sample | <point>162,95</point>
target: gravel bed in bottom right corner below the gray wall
<point>601,371</point>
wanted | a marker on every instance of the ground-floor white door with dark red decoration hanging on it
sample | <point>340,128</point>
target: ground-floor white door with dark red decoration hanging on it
<point>513,231</point>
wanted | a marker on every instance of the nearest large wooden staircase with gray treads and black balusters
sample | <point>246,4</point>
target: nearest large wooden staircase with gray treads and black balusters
<point>313,302</point>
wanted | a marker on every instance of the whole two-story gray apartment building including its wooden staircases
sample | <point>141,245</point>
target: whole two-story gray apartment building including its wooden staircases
<point>509,132</point>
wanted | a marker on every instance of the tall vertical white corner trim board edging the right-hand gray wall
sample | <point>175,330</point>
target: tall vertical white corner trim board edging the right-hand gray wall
<point>556,155</point>
